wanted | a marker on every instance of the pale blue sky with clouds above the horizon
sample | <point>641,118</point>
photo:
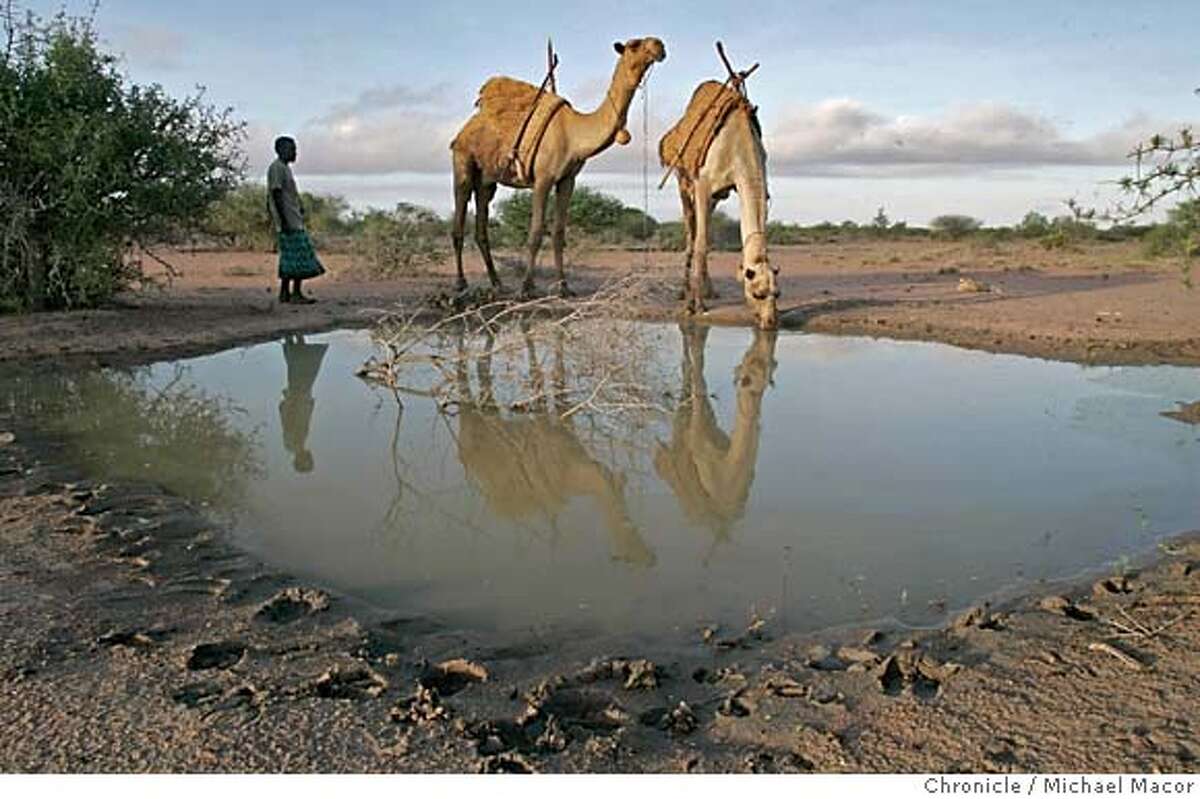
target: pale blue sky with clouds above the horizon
<point>923,109</point>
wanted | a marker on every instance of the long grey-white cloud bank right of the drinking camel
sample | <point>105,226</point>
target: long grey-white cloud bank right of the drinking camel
<point>845,137</point>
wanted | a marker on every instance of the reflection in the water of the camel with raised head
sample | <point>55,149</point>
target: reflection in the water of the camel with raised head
<point>535,465</point>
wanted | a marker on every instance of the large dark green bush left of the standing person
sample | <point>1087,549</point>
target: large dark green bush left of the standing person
<point>92,165</point>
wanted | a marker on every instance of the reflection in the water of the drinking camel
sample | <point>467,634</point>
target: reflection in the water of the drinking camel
<point>710,472</point>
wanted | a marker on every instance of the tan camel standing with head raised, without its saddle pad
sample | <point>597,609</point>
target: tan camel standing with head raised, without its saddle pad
<point>572,139</point>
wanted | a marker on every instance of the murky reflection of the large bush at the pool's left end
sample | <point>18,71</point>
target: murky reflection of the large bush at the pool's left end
<point>121,426</point>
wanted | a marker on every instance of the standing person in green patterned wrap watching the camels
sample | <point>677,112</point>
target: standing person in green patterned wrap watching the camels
<point>298,260</point>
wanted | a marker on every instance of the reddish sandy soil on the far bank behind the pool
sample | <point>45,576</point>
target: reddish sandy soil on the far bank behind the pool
<point>1101,305</point>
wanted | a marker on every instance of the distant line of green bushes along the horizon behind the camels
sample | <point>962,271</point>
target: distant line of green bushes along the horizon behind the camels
<point>410,236</point>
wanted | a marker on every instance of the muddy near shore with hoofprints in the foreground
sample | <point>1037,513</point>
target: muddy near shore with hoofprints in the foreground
<point>139,639</point>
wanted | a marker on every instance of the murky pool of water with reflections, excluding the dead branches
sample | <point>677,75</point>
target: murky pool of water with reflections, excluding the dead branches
<point>813,480</point>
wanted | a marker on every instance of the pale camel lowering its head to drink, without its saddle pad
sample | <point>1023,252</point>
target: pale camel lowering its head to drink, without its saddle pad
<point>736,161</point>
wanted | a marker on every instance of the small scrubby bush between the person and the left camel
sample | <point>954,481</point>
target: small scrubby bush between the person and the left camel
<point>391,243</point>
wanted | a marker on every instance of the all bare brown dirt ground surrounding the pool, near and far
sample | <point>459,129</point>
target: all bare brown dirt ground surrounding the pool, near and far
<point>136,639</point>
